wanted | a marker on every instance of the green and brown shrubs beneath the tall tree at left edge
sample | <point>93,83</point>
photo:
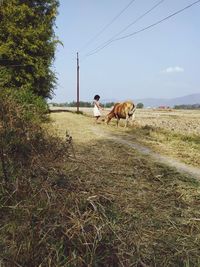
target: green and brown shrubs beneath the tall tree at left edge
<point>21,135</point>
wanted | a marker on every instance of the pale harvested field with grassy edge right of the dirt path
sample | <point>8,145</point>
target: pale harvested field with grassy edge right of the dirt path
<point>173,132</point>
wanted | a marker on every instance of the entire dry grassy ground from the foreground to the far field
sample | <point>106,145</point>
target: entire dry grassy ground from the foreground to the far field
<point>96,198</point>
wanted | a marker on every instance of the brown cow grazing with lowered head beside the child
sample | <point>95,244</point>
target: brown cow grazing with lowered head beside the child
<point>123,110</point>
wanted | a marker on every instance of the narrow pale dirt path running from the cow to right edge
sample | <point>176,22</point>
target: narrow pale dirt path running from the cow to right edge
<point>181,167</point>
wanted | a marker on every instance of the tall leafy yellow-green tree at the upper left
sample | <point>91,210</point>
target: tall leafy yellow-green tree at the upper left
<point>27,45</point>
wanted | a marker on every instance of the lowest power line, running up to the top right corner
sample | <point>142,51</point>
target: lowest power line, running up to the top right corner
<point>146,28</point>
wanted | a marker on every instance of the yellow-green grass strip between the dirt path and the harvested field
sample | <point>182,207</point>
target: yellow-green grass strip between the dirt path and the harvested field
<point>185,148</point>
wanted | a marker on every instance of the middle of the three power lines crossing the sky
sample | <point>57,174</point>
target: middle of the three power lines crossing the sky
<point>128,26</point>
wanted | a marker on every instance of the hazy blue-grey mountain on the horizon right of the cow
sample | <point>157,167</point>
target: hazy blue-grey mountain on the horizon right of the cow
<point>184,100</point>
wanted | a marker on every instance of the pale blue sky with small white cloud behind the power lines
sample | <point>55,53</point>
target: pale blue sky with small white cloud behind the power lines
<point>160,62</point>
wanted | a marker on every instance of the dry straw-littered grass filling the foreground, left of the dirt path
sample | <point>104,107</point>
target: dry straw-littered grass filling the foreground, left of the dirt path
<point>109,206</point>
